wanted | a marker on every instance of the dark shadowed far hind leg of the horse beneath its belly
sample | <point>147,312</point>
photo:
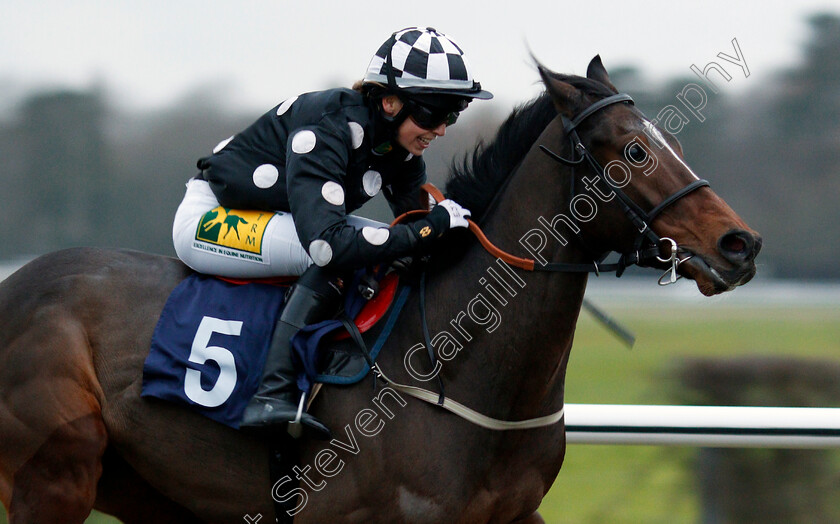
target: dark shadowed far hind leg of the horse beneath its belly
<point>127,496</point>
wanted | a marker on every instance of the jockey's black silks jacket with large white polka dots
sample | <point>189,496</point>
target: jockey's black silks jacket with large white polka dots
<point>312,155</point>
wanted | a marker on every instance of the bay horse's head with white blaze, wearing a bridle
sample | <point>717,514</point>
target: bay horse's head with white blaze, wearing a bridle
<point>645,194</point>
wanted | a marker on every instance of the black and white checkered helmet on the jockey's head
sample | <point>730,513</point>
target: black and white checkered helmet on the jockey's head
<point>423,61</point>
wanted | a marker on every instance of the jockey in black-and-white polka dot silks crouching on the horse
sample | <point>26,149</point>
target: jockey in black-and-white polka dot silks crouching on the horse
<point>301,168</point>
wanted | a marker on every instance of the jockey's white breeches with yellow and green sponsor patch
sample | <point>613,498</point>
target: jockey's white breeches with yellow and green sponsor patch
<point>239,243</point>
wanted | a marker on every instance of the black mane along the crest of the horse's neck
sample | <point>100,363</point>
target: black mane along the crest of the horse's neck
<point>476,181</point>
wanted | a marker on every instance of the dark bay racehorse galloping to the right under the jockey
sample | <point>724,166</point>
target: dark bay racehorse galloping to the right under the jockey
<point>76,326</point>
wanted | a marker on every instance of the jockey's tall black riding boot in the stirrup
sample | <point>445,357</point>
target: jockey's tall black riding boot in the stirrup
<point>313,298</point>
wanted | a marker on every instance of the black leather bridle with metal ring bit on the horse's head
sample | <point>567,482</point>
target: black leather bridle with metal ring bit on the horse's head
<point>639,217</point>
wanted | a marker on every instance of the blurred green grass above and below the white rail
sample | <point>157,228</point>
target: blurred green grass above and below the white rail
<point>647,484</point>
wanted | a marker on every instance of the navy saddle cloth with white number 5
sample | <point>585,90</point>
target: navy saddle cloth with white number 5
<point>212,339</point>
